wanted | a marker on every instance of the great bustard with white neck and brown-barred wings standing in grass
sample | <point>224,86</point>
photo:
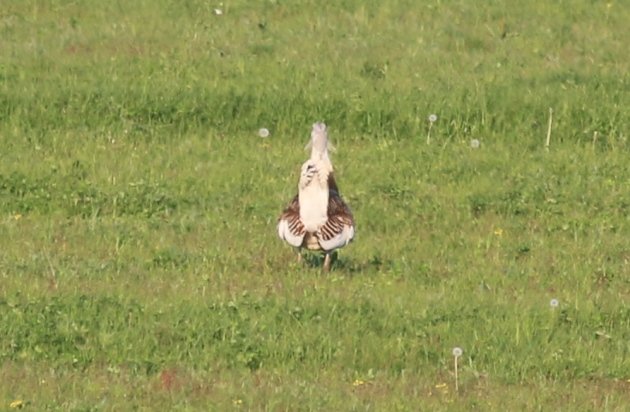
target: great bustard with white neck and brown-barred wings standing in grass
<point>317,218</point>
